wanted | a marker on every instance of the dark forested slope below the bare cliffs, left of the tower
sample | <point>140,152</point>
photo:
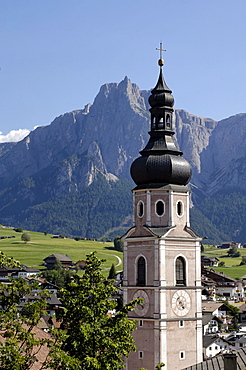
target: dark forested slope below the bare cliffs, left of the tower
<point>101,206</point>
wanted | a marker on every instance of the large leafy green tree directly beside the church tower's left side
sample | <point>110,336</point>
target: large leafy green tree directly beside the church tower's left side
<point>97,339</point>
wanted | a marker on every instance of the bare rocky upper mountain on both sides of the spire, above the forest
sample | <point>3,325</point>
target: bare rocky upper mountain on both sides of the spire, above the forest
<point>105,137</point>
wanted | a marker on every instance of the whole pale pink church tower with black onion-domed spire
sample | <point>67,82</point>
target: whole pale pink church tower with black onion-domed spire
<point>161,251</point>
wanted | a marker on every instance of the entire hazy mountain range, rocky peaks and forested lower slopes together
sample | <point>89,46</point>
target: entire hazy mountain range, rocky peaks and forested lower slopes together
<point>72,176</point>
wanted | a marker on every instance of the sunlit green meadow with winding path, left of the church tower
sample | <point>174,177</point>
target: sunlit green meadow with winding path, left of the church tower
<point>41,246</point>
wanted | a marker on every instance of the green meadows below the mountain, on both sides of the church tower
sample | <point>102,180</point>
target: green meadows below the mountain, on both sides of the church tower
<point>41,246</point>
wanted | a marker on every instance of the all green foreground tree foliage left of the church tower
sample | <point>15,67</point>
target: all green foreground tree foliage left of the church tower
<point>90,337</point>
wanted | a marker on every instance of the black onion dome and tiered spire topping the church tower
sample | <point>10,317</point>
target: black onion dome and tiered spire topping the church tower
<point>161,162</point>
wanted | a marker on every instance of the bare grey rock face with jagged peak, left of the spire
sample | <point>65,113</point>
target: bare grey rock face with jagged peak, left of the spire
<point>103,138</point>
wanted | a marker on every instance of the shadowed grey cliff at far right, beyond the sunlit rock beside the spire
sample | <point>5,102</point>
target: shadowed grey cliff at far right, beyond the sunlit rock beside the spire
<point>223,161</point>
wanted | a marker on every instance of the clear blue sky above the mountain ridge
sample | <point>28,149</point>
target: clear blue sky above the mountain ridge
<point>55,55</point>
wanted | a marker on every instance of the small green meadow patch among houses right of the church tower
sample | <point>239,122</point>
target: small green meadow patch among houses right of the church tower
<point>231,267</point>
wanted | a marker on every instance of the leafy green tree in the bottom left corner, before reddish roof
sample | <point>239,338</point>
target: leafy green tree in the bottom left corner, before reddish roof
<point>20,346</point>
